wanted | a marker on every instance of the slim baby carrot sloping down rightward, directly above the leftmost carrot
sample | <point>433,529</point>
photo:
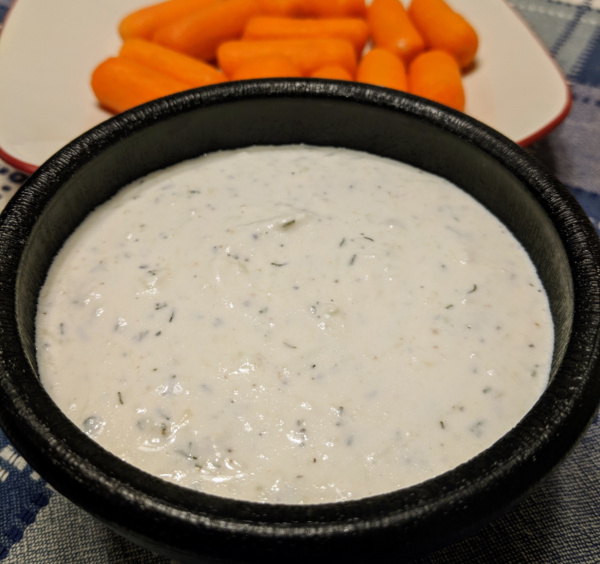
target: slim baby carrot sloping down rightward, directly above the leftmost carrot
<point>182,67</point>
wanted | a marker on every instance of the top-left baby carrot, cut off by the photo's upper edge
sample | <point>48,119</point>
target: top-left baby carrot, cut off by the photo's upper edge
<point>144,22</point>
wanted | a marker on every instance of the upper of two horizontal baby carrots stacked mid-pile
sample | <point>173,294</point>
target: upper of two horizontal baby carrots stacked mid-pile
<point>354,30</point>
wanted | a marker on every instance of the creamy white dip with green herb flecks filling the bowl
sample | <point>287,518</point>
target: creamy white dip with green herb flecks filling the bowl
<point>294,325</point>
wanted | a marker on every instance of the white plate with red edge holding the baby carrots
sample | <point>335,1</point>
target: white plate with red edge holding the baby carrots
<point>48,50</point>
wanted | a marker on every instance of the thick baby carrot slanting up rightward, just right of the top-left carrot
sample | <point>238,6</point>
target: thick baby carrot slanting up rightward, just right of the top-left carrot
<point>200,33</point>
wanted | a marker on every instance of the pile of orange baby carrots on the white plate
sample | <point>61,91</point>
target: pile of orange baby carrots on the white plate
<point>176,45</point>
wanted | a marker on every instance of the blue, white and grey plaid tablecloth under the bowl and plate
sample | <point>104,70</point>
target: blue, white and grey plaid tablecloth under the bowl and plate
<point>558,523</point>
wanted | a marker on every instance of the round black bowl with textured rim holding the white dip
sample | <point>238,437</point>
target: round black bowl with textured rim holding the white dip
<point>188,525</point>
